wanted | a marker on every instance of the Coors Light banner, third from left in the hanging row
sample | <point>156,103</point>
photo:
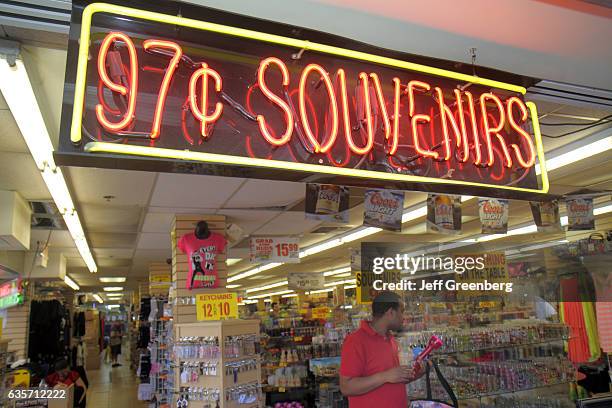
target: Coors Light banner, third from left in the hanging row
<point>444,214</point>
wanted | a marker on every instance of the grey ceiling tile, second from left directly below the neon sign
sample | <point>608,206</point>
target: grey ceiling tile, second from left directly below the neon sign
<point>193,191</point>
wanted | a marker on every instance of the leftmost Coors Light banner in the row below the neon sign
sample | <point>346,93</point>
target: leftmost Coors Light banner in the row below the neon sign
<point>326,202</point>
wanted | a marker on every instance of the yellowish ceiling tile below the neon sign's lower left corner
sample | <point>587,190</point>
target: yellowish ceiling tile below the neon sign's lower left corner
<point>129,188</point>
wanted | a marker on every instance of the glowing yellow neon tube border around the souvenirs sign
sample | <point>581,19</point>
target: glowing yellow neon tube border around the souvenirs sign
<point>80,85</point>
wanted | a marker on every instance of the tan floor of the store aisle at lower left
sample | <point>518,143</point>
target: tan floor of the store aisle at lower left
<point>113,387</point>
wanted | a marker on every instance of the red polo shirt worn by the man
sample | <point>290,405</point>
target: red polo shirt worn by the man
<point>365,353</point>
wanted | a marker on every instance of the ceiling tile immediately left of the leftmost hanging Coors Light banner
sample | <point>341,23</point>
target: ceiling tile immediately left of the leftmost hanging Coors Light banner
<point>266,193</point>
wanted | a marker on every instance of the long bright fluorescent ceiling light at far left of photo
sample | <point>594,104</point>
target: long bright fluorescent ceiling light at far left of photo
<point>19,95</point>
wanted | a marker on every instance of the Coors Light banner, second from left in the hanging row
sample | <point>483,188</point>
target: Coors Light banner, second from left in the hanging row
<point>383,209</point>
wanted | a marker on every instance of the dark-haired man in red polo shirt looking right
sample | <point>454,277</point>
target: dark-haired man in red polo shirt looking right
<point>370,373</point>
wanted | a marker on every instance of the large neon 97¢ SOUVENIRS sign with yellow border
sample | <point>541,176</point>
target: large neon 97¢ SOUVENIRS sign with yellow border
<point>151,90</point>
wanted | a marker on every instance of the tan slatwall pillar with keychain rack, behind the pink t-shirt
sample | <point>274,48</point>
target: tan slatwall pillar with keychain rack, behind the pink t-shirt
<point>216,363</point>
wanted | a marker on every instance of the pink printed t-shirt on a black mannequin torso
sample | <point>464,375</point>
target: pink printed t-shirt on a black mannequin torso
<point>202,254</point>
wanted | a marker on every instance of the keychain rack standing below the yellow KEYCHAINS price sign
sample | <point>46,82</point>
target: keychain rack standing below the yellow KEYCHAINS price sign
<point>218,364</point>
